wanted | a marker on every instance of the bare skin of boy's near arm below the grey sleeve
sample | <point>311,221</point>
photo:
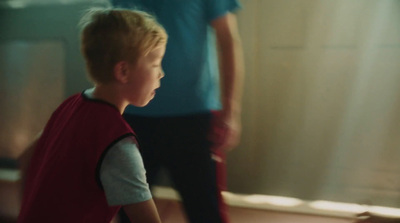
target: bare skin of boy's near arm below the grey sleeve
<point>145,212</point>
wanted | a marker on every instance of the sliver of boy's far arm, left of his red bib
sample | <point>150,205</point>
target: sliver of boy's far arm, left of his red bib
<point>24,160</point>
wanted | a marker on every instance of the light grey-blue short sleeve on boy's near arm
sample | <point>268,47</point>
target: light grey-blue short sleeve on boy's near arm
<point>122,174</point>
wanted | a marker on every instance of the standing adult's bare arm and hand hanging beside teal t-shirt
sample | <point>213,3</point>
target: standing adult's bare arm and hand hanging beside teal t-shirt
<point>231,76</point>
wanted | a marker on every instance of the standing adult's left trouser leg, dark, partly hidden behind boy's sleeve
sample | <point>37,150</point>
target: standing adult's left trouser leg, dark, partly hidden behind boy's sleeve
<point>146,130</point>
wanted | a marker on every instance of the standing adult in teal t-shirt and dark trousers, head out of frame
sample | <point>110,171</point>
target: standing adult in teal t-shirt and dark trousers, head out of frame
<point>196,113</point>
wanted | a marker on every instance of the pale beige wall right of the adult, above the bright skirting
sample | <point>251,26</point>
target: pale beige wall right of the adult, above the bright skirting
<point>322,101</point>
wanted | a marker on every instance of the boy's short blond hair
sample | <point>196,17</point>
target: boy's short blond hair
<point>109,36</point>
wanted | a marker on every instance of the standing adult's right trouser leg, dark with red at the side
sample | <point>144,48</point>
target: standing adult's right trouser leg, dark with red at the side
<point>193,169</point>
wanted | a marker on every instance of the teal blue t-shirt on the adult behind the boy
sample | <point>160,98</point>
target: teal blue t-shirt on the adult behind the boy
<point>191,82</point>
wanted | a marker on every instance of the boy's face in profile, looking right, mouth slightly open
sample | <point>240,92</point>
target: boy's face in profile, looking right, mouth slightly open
<point>145,77</point>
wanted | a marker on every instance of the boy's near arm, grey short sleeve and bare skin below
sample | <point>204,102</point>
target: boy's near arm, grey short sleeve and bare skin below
<point>123,178</point>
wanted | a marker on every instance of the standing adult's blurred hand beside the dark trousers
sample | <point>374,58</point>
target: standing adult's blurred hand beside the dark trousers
<point>225,131</point>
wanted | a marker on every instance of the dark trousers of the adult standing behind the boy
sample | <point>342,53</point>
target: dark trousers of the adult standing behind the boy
<point>181,146</point>
